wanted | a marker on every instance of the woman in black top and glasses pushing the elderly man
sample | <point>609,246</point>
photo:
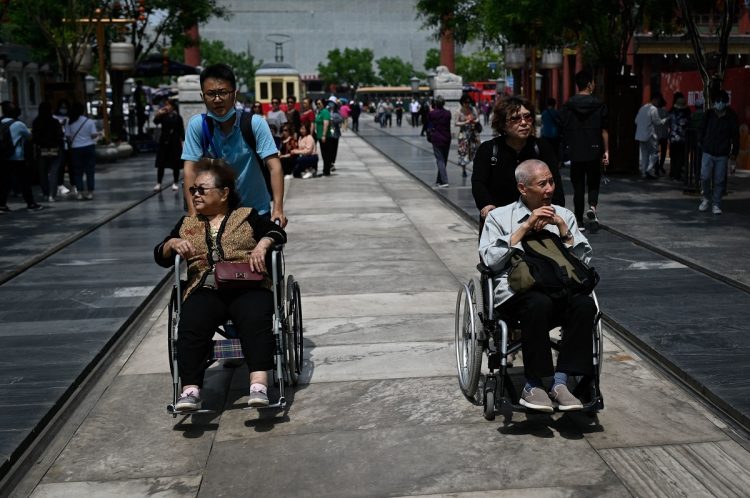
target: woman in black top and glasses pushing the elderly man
<point>493,182</point>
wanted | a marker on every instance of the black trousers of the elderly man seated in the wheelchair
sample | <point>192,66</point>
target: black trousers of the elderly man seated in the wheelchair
<point>538,314</point>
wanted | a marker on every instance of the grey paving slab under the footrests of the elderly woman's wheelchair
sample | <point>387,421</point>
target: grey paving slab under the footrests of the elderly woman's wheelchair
<point>129,434</point>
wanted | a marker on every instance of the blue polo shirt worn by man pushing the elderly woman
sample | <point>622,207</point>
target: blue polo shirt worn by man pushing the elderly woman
<point>232,147</point>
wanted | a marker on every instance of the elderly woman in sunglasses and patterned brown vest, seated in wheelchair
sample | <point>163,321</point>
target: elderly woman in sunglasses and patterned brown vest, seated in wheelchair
<point>221,231</point>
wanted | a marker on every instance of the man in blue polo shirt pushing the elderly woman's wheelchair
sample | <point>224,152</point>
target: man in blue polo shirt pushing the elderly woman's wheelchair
<point>218,86</point>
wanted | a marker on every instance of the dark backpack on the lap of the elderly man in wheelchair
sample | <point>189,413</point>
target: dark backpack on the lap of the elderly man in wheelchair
<point>545,264</point>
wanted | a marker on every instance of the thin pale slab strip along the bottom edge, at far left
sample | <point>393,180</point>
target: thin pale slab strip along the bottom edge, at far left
<point>162,487</point>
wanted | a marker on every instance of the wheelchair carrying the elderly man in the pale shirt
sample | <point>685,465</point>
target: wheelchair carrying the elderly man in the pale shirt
<point>481,333</point>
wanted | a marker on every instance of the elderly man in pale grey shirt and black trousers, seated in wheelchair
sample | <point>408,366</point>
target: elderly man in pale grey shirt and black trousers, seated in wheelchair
<point>535,310</point>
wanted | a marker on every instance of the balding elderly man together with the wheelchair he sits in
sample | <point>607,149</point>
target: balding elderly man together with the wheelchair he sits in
<point>534,309</point>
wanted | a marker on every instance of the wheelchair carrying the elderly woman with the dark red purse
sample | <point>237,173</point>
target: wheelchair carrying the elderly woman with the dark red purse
<point>287,331</point>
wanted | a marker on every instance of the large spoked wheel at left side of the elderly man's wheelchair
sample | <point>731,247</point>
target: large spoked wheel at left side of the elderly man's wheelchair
<point>468,344</point>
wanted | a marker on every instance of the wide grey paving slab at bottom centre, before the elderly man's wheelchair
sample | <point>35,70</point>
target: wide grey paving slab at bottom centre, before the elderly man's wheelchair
<point>406,461</point>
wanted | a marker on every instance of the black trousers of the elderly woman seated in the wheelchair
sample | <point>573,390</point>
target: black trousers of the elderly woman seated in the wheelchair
<point>251,312</point>
